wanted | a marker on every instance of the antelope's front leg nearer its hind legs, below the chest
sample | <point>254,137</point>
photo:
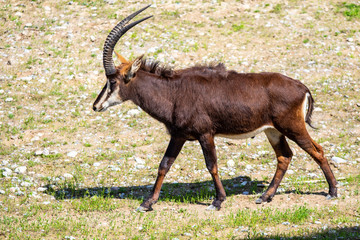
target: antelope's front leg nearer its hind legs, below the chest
<point>208,147</point>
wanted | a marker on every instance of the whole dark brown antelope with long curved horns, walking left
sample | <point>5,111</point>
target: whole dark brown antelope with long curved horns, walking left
<point>205,101</point>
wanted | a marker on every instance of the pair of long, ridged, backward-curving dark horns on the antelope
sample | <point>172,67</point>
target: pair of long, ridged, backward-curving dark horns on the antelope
<point>114,36</point>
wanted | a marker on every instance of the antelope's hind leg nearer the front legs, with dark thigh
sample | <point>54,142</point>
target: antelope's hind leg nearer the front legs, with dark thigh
<point>284,155</point>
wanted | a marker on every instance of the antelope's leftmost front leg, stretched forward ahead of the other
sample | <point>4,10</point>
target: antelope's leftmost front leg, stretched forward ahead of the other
<point>171,153</point>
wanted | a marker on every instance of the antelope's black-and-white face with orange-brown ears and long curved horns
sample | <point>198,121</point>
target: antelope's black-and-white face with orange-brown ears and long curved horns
<point>117,77</point>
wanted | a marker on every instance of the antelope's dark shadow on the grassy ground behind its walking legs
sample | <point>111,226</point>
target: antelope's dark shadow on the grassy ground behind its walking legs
<point>174,192</point>
